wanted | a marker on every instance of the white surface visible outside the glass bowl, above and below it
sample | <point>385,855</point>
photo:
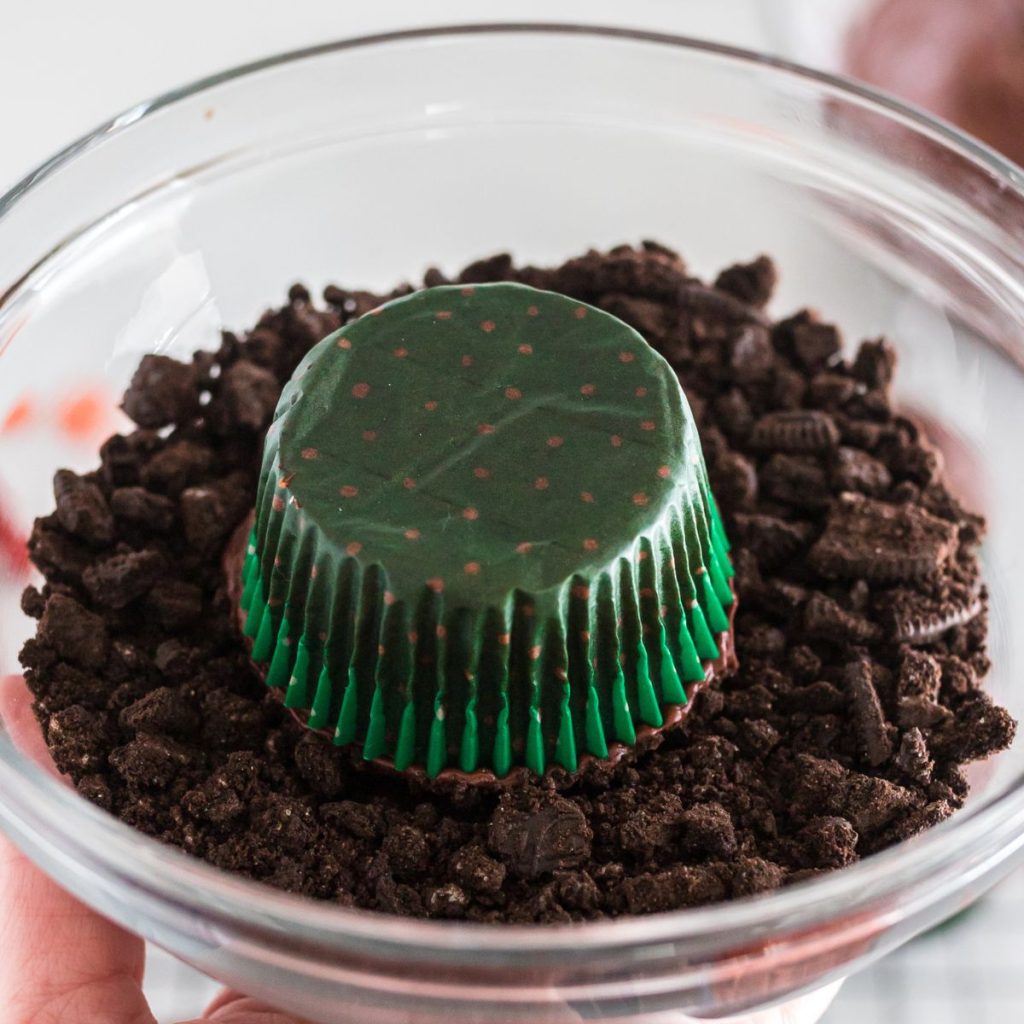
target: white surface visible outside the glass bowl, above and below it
<point>68,65</point>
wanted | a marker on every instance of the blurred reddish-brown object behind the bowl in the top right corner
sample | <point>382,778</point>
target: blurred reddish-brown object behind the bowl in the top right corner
<point>963,60</point>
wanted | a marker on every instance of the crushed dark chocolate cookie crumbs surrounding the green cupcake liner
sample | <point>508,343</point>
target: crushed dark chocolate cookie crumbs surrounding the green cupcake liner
<point>862,633</point>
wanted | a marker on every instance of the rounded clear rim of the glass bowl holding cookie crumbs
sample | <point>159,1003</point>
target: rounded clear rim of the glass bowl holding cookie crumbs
<point>172,876</point>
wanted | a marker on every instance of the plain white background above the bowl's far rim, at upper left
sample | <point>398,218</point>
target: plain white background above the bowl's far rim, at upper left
<point>68,65</point>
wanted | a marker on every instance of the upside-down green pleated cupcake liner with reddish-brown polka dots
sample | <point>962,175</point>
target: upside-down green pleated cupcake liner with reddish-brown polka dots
<point>485,537</point>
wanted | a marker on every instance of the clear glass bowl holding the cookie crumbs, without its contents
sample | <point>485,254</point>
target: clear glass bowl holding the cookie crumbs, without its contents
<point>366,161</point>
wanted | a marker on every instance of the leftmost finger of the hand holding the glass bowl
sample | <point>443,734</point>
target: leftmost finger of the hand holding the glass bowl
<point>62,962</point>
